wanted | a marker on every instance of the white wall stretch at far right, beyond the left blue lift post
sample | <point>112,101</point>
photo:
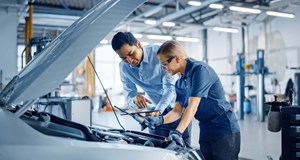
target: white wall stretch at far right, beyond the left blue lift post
<point>280,39</point>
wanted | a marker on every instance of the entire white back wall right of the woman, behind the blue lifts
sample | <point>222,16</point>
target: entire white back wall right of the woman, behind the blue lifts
<point>278,36</point>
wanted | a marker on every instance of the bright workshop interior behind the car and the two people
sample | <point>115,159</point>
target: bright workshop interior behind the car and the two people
<point>251,44</point>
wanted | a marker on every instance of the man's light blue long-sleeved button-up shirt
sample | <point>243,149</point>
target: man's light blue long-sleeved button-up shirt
<point>159,85</point>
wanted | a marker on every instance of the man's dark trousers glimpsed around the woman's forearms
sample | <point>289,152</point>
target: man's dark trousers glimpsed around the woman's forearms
<point>164,129</point>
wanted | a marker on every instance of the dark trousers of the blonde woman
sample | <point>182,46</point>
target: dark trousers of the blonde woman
<point>225,147</point>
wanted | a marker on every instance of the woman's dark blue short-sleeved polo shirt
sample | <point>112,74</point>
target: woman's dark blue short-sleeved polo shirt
<point>214,111</point>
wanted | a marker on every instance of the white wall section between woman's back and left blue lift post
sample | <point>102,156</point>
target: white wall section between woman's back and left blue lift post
<point>222,54</point>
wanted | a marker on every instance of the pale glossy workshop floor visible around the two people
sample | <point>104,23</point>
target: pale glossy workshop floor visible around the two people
<point>257,143</point>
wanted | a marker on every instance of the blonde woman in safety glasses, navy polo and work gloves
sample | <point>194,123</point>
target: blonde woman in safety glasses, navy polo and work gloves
<point>200,94</point>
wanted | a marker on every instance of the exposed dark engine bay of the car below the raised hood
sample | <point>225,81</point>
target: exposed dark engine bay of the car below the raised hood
<point>52,125</point>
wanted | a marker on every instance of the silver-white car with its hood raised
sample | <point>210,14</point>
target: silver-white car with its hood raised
<point>33,135</point>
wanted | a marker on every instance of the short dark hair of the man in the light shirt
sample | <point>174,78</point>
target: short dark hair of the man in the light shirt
<point>122,38</point>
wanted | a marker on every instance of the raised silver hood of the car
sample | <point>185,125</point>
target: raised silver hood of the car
<point>64,53</point>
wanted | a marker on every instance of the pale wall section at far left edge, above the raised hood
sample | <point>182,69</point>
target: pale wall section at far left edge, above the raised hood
<point>8,44</point>
